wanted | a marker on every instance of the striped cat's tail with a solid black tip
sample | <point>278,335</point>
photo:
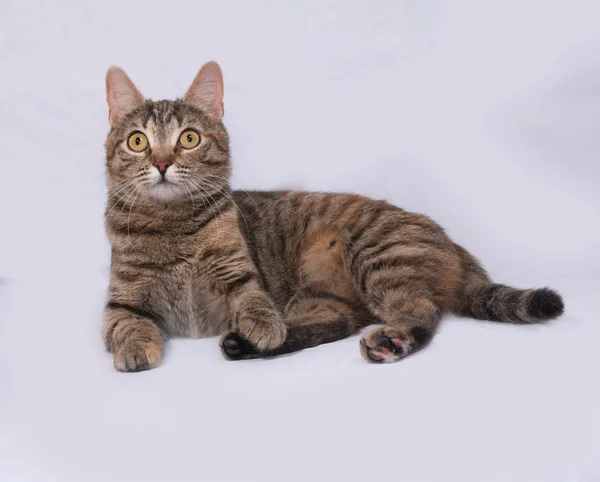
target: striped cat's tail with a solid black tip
<point>495,302</point>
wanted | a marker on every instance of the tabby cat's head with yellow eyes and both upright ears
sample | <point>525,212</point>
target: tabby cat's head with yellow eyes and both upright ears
<point>166,149</point>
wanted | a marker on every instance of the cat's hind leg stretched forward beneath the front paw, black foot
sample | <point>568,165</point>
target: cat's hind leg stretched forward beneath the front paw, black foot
<point>313,317</point>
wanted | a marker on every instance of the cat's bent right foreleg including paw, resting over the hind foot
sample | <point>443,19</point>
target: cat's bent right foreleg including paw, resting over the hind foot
<point>255,317</point>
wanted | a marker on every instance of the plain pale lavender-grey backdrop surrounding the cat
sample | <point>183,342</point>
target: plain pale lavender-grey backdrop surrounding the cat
<point>482,114</point>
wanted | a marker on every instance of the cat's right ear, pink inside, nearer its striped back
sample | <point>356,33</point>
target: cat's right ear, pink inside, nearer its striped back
<point>206,91</point>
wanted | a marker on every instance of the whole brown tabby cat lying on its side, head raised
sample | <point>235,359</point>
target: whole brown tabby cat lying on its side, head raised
<point>272,272</point>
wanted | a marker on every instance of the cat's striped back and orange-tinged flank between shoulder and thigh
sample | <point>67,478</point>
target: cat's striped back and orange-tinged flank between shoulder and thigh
<point>294,236</point>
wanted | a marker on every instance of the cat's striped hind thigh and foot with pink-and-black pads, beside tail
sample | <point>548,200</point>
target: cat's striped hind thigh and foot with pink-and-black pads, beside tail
<point>407,289</point>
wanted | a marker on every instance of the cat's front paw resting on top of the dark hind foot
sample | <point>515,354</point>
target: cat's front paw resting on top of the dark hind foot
<point>265,331</point>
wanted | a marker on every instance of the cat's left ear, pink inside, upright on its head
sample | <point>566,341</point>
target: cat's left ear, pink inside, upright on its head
<point>121,94</point>
